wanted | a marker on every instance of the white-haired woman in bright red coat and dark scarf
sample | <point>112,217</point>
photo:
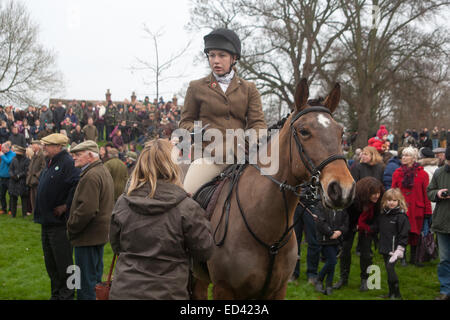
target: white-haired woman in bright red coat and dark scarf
<point>413,181</point>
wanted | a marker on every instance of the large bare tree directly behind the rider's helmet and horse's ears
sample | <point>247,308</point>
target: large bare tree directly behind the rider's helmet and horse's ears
<point>284,40</point>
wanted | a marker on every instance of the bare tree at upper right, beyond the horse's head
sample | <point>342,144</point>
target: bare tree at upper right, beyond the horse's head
<point>373,54</point>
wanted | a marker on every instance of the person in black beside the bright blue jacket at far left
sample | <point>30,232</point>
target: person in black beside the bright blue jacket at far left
<point>17,183</point>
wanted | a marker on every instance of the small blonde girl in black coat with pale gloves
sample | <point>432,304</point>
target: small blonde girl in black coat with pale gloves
<point>393,227</point>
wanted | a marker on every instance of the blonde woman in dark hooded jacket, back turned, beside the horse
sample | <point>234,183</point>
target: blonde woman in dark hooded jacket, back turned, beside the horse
<point>155,228</point>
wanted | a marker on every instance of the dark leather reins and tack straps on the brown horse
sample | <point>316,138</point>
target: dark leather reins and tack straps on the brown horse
<point>314,184</point>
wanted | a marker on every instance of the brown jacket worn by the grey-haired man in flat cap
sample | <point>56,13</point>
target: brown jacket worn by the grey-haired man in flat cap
<point>90,213</point>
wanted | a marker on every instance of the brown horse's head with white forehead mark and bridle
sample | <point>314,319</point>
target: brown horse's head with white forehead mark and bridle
<point>316,147</point>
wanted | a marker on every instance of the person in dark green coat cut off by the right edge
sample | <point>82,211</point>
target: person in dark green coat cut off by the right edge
<point>439,191</point>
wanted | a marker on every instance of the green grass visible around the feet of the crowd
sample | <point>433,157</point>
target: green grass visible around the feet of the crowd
<point>23,275</point>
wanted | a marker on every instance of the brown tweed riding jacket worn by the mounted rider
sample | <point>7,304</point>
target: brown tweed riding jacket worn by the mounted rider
<point>238,108</point>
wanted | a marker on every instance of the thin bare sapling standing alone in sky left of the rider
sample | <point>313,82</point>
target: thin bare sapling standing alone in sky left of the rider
<point>157,67</point>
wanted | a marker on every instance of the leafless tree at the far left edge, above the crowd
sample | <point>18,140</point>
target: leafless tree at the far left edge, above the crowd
<point>27,69</point>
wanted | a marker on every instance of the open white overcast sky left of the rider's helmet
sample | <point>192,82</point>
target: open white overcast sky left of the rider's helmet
<point>98,41</point>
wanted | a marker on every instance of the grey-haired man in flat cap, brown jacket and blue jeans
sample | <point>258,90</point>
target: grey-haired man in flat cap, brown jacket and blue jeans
<point>90,216</point>
